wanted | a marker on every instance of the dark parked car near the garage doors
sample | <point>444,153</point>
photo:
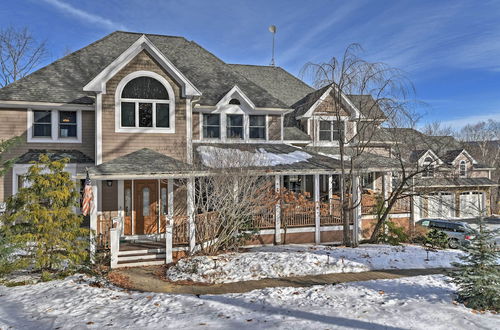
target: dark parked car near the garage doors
<point>459,233</point>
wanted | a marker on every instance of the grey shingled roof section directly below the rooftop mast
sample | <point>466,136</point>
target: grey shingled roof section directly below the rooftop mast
<point>280,83</point>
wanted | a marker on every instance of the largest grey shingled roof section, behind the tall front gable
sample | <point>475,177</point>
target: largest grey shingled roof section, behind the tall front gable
<point>63,80</point>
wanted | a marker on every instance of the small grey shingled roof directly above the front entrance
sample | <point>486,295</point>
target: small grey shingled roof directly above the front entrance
<point>141,162</point>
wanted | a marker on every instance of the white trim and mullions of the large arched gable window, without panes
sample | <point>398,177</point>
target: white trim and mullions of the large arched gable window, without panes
<point>119,100</point>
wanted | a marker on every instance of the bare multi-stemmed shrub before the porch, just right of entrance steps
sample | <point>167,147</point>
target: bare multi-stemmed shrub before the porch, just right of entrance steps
<point>232,200</point>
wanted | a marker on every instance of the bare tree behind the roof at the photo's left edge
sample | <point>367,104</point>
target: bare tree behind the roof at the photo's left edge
<point>20,53</point>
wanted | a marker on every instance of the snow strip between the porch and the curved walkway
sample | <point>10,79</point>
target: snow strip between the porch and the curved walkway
<point>296,260</point>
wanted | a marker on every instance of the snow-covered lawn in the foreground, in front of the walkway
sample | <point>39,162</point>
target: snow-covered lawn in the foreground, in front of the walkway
<point>423,302</point>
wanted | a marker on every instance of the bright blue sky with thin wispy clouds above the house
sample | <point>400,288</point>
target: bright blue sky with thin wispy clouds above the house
<point>449,49</point>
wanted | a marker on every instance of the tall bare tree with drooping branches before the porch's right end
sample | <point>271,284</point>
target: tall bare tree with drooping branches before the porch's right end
<point>377,91</point>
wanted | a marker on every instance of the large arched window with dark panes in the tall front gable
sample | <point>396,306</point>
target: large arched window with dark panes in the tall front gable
<point>145,102</point>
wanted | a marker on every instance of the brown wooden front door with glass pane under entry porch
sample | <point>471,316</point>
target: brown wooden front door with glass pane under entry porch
<point>146,200</point>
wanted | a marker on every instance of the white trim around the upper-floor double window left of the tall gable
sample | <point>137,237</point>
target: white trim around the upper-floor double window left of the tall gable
<point>54,128</point>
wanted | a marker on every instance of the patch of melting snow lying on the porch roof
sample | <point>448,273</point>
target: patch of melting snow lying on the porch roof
<point>215,157</point>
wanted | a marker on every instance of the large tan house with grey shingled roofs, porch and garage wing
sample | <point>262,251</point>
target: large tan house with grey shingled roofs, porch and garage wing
<point>142,113</point>
